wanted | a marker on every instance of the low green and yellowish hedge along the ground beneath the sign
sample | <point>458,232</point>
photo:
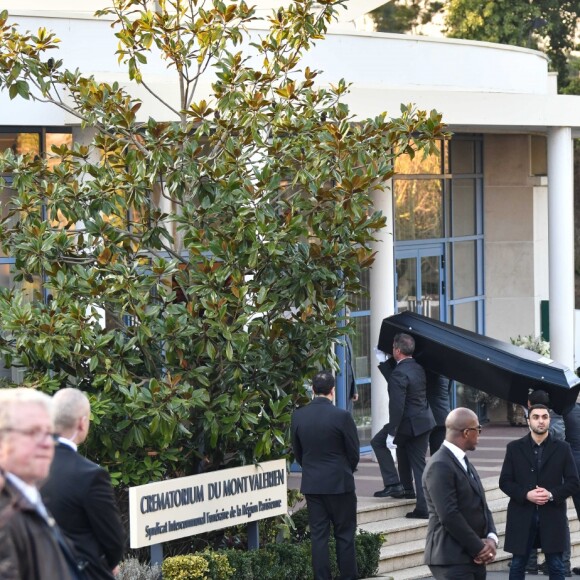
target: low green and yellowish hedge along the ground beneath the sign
<point>283,561</point>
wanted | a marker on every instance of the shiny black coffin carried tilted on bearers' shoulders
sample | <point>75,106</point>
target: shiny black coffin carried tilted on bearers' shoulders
<point>490,365</point>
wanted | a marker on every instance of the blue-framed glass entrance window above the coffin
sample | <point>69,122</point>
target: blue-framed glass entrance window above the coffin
<point>438,213</point>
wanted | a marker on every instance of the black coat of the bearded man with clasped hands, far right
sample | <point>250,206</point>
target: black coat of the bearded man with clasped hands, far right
<point>520,474</point>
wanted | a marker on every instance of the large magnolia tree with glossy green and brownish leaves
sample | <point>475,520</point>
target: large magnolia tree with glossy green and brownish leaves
<point>193,267</point>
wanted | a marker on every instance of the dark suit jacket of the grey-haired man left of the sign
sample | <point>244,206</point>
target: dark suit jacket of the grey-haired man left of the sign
<point>79,495</point>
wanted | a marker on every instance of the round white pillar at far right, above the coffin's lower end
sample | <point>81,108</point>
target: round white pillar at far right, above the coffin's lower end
<point>561,244</point>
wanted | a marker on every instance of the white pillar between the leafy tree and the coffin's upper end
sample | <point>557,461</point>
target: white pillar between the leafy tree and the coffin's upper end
<point>382,301</point>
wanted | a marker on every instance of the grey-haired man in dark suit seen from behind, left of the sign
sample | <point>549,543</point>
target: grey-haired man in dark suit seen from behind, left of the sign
<point>79,493</point>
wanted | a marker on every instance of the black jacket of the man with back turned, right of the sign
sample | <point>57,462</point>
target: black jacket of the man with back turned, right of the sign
<point>326,445</point>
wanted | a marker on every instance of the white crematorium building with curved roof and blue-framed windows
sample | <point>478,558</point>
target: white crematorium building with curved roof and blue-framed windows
<point>497,238</point>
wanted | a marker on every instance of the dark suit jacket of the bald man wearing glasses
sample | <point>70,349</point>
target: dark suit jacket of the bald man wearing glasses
<point>458,513</point>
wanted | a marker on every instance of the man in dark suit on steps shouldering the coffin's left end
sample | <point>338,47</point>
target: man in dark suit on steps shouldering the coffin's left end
<point>410,422</point>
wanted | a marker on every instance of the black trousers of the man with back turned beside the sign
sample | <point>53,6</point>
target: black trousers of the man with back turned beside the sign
<point>340,509</point>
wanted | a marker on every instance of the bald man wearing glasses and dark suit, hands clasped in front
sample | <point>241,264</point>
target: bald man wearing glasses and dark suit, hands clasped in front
<point>461,535</point>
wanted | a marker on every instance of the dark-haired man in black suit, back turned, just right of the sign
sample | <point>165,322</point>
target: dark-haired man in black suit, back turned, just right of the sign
<point>325,443</point>
